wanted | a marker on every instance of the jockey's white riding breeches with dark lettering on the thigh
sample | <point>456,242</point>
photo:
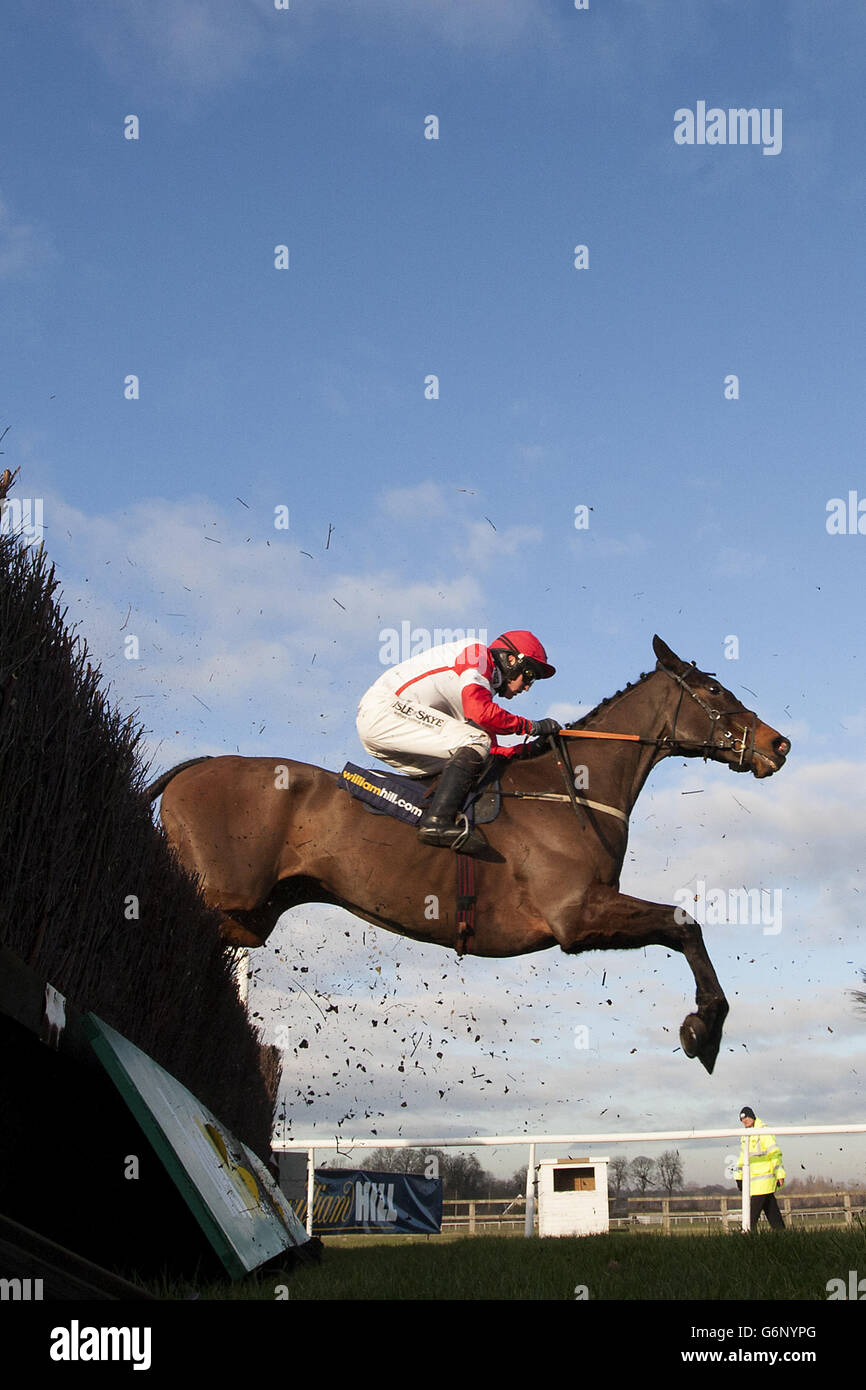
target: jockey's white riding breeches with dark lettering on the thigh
<point>415,739</point>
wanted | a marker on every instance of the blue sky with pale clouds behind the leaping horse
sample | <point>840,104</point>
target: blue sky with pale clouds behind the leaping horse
<point>558,387</point>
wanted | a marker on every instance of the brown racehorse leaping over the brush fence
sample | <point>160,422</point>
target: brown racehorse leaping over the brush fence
<point>263,836</point>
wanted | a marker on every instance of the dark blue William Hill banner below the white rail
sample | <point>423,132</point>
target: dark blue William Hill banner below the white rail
<point>348,1200</point>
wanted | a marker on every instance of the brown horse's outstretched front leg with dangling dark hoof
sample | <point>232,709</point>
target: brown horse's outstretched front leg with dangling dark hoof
<point>610,921</point>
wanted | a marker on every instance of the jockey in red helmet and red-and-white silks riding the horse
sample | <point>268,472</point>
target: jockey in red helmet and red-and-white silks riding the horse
<point>436,714</point>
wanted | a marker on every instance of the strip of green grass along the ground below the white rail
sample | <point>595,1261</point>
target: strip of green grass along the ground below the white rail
<point>786,1266</point>
